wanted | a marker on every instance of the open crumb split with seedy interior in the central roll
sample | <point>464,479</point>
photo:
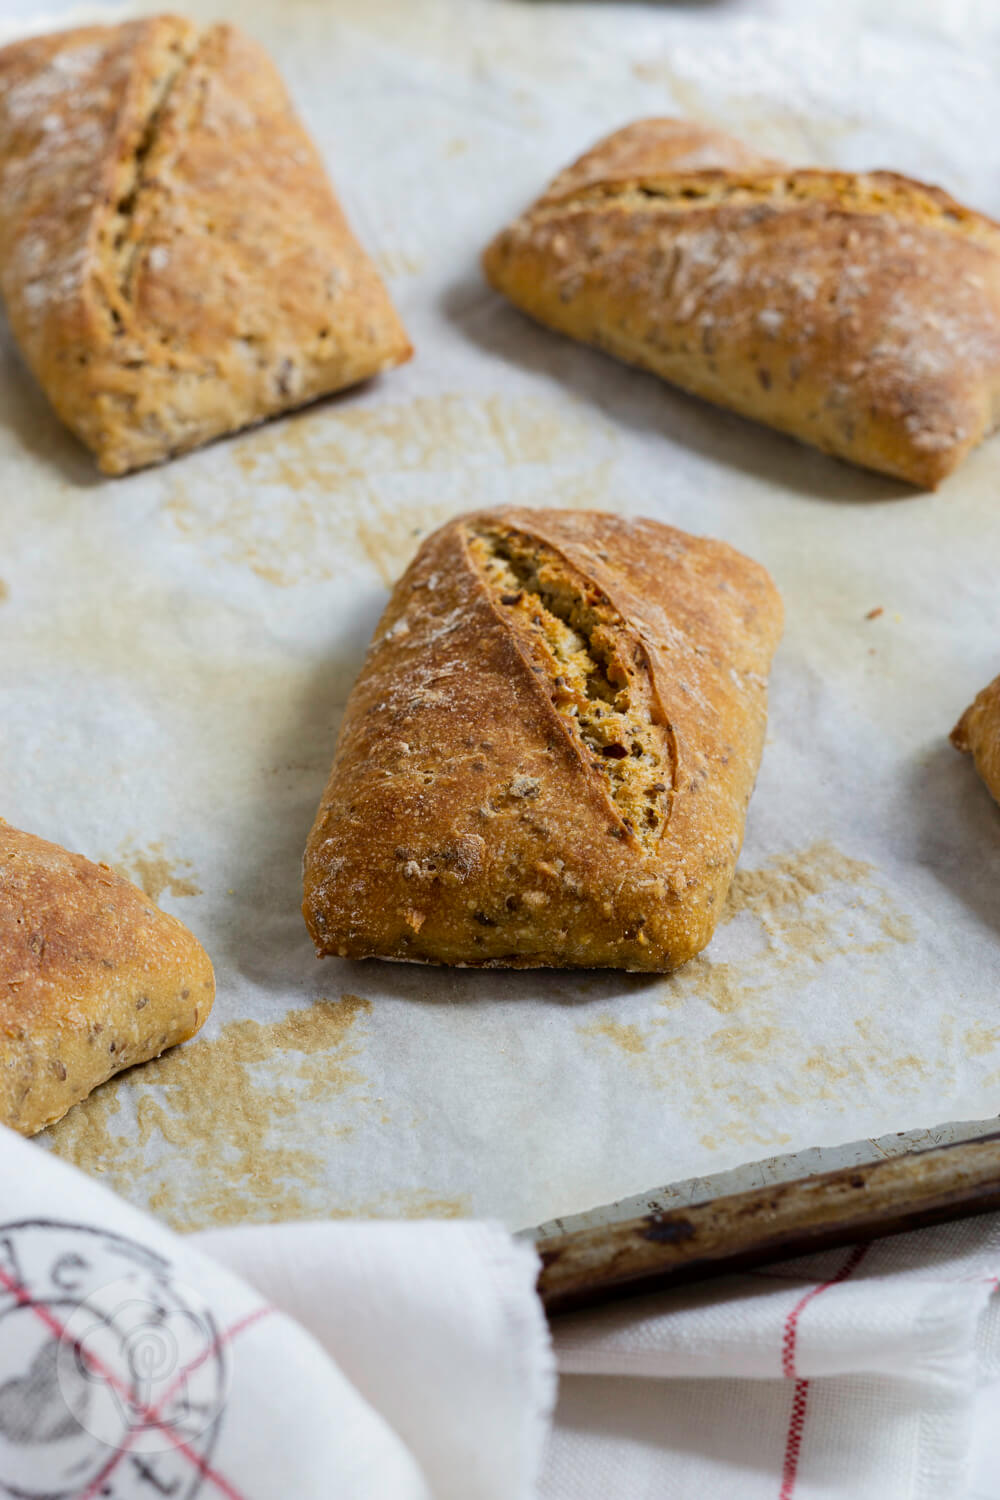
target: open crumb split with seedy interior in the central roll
<point>597,673</point>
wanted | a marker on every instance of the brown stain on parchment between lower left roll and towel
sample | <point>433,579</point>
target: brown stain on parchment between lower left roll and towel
<point>224,1120</point>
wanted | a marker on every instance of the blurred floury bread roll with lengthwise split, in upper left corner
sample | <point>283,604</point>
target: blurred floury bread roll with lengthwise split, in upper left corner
<point>172,256</point>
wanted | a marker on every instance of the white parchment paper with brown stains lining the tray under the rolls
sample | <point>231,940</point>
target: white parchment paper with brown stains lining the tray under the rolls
<point>176,650</point>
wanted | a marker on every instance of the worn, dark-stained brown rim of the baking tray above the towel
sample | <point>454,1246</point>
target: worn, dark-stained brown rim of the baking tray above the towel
<point>719,1226</point>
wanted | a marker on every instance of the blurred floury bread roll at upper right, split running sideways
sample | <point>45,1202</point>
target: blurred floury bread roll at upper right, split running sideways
<point>855,311</point>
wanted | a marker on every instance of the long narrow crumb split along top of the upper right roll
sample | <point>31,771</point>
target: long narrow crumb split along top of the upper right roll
<point>851,193</point>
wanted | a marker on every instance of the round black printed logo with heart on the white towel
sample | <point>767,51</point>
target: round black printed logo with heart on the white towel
<point>113,1378</point>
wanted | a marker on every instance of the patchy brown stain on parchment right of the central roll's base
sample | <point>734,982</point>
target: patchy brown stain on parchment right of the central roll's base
<point>795,913</point>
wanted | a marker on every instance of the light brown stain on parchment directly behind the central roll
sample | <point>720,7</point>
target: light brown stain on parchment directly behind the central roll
<point>307,499</point>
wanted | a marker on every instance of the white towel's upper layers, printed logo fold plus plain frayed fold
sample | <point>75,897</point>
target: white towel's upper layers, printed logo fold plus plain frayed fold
<point>134,1366</point>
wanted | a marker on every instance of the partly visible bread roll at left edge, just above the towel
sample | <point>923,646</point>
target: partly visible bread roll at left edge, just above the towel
<point>94,977</point>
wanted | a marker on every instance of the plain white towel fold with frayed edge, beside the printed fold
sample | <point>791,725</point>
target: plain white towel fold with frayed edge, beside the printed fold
<point>436,1324</point>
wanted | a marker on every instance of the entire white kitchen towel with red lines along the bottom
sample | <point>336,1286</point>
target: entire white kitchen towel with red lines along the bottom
<point>412,1363</point>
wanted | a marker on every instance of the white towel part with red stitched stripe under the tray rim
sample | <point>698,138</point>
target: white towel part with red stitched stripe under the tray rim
<point>870,1373</point>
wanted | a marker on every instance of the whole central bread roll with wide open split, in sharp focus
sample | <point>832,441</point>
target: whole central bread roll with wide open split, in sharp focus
<point>548,757</point>
